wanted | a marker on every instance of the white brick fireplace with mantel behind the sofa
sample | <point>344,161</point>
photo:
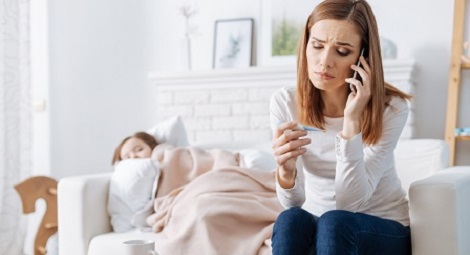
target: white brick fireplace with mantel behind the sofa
<point>233,105</point>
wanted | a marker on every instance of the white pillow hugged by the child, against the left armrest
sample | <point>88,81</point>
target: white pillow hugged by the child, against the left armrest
<point>130,189</point>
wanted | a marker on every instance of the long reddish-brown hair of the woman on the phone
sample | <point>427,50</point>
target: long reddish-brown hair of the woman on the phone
<point>309,101</point>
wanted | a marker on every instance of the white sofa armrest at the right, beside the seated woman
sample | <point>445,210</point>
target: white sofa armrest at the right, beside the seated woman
<point>439,211</point>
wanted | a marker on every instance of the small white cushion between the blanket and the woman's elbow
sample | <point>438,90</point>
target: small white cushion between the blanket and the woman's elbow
<point>257,159</point>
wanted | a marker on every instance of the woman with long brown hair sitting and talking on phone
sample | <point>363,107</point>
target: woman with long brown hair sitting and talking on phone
<point>340,186</point>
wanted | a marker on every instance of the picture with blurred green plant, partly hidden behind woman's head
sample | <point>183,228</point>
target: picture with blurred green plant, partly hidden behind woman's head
<point>281,25</point>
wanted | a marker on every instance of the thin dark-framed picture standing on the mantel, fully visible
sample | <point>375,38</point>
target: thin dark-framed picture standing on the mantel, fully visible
<point>233,43</point>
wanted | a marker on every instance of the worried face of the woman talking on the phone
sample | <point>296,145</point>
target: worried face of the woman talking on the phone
<point>333,46</point>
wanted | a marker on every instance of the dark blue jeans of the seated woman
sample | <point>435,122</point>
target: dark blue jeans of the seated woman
<point>298,232</point>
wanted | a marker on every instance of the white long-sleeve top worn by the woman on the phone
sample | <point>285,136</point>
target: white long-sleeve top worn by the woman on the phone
<point>341,174</point>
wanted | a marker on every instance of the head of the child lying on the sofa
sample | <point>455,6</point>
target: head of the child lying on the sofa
<point>139,145</point>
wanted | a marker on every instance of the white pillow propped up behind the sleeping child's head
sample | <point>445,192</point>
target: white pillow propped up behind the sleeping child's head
<point>170,131</point>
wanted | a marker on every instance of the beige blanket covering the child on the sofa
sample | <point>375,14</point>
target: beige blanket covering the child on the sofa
<point>206,204</point>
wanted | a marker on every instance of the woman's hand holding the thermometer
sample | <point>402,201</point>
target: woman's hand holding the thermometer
<point>287,146</point>
